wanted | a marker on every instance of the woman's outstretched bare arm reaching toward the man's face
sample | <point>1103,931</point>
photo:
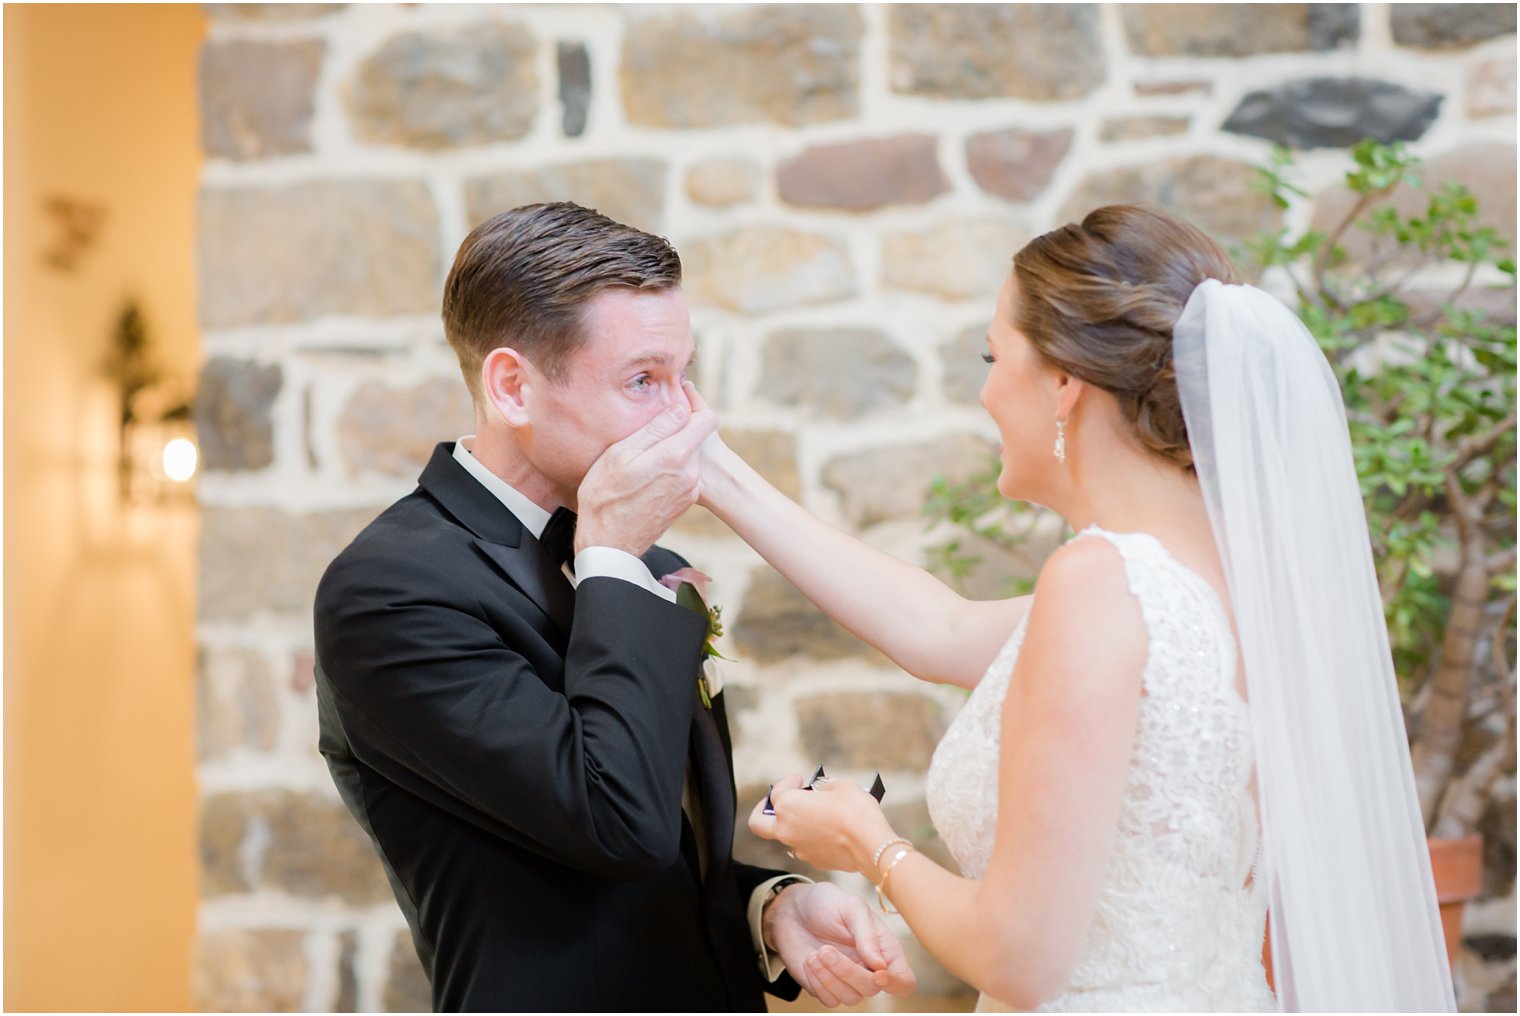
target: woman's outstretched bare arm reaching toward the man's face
<point>916,620</point>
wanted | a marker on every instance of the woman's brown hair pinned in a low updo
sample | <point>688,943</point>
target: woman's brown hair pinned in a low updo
<point>1100,299</point>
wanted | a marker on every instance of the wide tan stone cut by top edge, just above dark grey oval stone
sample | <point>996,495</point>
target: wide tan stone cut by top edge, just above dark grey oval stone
<point>1240,30</point>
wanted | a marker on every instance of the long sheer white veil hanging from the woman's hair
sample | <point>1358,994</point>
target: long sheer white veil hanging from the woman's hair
<point>1354,909</point>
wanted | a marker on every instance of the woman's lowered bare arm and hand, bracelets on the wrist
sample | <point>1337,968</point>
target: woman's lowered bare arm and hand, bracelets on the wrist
<point>1069,726</point>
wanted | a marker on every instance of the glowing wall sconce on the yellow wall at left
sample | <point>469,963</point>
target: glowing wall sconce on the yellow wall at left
<point>159,454</point>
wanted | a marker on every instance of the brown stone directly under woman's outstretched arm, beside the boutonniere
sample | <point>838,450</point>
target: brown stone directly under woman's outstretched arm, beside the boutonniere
<point>776,623</point>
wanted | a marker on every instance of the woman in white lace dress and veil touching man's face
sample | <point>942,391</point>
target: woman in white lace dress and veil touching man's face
<point>1192,723</point>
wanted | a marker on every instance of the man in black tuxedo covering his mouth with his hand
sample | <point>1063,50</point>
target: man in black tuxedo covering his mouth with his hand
<point>510,699</point>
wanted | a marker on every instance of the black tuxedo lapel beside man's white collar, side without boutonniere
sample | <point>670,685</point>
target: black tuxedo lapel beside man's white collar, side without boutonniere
<point>499,536</point>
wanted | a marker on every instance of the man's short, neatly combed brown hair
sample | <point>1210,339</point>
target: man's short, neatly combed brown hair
<point>522,279</point>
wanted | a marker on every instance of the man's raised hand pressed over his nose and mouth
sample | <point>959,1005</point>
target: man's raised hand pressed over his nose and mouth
<point>644,483</point>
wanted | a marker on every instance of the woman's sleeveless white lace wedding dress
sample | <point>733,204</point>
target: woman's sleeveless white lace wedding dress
<point>1180,918</point>
